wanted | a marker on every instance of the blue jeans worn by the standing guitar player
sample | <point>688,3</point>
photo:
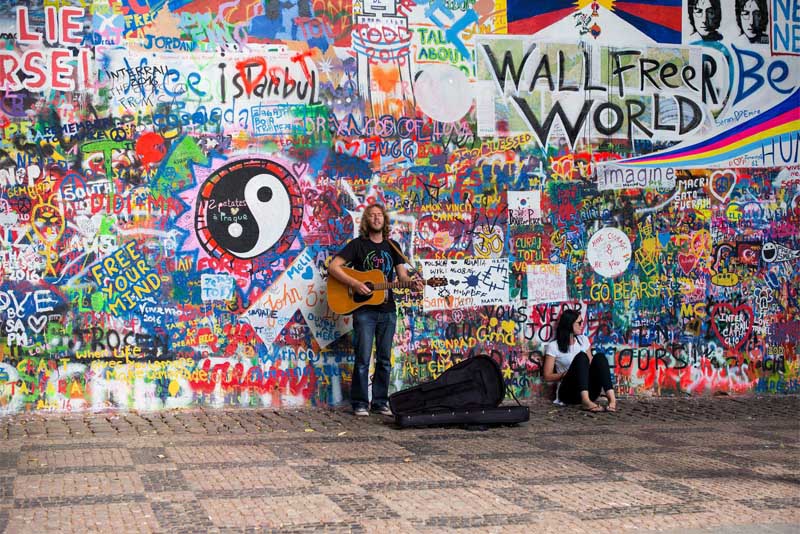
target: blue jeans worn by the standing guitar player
<point>372,327</point>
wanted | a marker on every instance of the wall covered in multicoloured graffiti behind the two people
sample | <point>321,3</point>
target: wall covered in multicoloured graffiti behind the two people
<point>176,176</point>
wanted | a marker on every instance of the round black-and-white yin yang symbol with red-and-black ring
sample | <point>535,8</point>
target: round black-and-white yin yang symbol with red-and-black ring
<point>248,208</point>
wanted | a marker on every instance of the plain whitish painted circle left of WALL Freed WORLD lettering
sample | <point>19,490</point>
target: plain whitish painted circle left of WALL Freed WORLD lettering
<point>443,92</point>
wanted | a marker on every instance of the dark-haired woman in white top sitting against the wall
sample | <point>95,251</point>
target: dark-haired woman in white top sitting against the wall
<point>569,359</point>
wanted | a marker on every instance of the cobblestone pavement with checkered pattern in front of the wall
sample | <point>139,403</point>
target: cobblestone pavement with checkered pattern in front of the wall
<point>726,464</point>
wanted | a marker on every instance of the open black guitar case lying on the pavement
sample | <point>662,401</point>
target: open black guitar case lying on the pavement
<point>469,393</point>
